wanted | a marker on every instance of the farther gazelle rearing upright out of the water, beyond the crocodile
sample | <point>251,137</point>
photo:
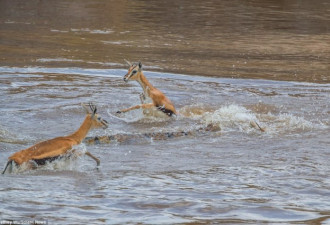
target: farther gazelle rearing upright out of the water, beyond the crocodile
<point>159,100</point>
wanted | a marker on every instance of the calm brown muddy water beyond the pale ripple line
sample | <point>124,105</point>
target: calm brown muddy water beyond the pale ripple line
<point>281,40</point>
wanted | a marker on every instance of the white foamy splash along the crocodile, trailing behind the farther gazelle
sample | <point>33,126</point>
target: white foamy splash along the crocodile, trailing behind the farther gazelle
<point>228,118</point>
